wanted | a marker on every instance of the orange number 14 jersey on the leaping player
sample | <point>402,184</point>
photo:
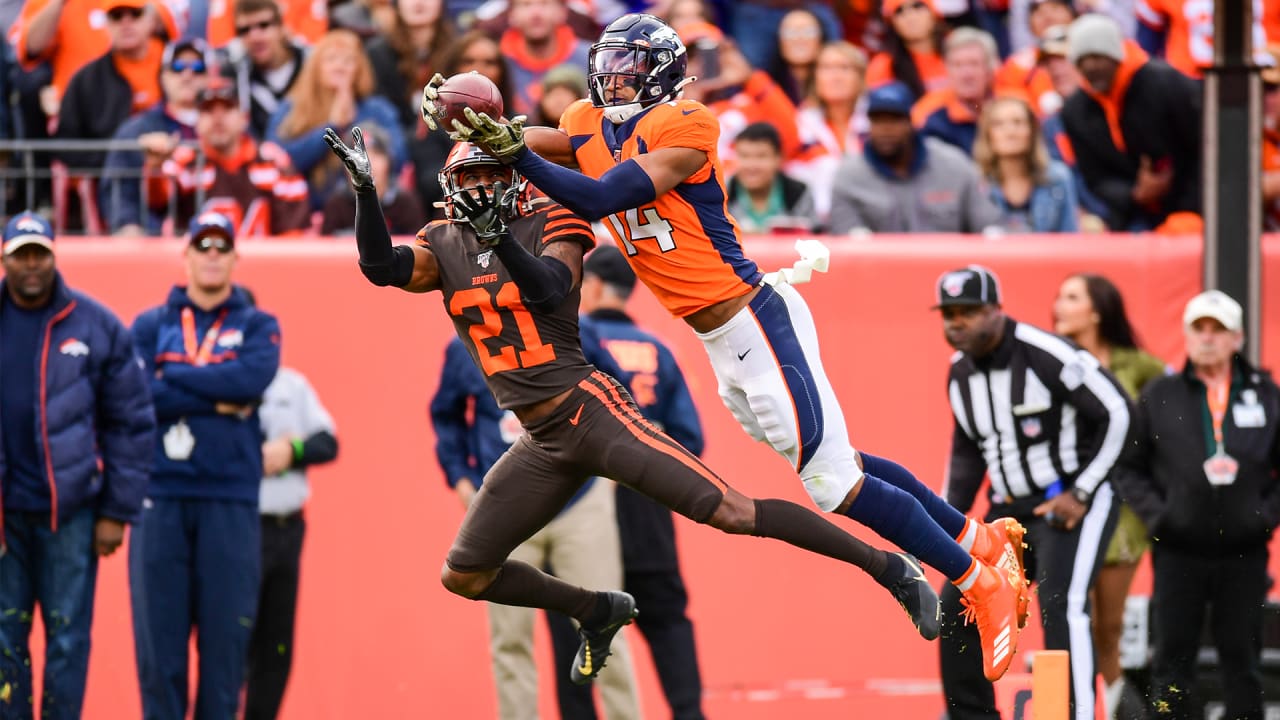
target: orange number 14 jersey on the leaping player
<point>685,245</point>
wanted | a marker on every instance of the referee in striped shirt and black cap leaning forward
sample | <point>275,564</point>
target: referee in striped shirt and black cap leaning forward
<point>1046,423</point>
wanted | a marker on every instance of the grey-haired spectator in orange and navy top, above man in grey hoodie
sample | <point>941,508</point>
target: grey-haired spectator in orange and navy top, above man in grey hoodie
<point>952,115</point>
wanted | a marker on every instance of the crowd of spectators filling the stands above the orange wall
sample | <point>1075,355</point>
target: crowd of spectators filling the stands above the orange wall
<point>892,116</point>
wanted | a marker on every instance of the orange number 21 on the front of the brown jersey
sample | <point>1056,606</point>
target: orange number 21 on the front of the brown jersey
<point>492,323</point>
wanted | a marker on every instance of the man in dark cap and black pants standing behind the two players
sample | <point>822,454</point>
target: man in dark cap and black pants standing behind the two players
<point>652,569</point>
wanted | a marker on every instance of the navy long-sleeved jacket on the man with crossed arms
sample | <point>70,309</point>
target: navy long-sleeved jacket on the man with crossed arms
<point>226,462</point>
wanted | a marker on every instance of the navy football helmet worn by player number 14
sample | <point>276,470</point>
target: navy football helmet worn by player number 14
<point>637,52</point>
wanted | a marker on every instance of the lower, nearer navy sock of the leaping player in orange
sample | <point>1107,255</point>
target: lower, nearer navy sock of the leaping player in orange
<point>899,518</point>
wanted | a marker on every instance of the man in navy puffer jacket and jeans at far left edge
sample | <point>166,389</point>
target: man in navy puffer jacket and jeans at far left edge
<point>77,431</point>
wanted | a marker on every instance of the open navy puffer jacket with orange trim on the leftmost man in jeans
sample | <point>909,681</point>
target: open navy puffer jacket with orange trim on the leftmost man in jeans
<point>93,394</point>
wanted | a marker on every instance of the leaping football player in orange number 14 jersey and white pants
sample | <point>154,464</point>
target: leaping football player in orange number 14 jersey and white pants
<point>652,174</point>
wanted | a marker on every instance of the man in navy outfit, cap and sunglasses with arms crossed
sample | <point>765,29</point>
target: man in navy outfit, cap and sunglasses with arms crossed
<point>195,558</point>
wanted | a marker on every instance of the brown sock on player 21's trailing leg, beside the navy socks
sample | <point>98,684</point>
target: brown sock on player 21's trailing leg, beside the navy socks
<point>806,530</point>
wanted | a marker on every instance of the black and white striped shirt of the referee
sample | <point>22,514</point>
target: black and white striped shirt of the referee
<point>1036,411</point>
